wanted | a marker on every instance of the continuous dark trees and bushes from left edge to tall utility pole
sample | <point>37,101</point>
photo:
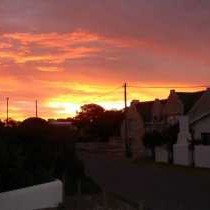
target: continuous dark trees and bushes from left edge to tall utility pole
<point>35,151</point>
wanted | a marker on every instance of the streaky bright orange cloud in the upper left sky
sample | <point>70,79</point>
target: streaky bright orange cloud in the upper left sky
<point>66,47</point>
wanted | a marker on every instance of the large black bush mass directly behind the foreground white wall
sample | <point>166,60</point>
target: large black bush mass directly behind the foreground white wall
<point>36,152</point>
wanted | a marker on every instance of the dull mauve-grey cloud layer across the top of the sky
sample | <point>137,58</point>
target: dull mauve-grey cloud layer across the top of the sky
<point>182,24</point>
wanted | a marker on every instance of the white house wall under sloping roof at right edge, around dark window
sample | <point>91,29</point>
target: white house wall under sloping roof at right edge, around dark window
<point>202,126</point>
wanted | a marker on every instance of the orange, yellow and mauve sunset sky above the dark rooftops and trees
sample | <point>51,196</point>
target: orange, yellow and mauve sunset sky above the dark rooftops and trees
<point>66,53</point>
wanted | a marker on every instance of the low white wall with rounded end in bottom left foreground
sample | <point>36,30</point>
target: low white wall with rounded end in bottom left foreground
<point>36,197</point>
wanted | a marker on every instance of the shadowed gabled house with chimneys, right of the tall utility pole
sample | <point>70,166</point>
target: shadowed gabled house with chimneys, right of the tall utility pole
<point>192,107</point>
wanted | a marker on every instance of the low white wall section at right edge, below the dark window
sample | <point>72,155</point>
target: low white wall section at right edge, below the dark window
<point>202,156</point>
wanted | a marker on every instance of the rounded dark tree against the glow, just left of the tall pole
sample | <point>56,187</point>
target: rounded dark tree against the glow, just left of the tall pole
<point>96,124</point>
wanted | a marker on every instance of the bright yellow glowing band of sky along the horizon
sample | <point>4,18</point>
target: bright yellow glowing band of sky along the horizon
<point>64,107</point>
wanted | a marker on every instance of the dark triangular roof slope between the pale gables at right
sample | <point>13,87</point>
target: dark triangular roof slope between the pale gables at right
<point>189,99</point>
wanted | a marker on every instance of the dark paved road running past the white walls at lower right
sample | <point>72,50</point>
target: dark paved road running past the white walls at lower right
<point>162,188</point>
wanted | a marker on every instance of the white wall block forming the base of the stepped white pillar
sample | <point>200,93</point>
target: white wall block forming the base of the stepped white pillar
<point>181,154</point>
